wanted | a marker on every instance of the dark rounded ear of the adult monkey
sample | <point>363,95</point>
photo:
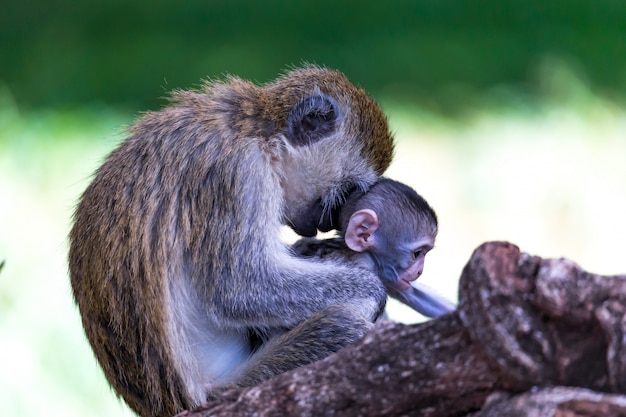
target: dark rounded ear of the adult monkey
<point>311,119</point>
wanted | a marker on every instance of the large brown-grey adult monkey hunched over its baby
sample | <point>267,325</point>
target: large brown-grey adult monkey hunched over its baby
<point>176,264</point>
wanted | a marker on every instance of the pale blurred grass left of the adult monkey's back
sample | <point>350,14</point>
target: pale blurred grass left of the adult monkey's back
<point>45,160</point>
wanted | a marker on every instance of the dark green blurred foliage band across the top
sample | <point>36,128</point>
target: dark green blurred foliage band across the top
<point>439,53</point>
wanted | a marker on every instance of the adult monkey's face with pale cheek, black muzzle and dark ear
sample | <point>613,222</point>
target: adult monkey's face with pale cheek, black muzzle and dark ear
<point>322,162</point>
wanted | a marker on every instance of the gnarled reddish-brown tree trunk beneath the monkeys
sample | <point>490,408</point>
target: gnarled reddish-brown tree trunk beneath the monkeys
<point>522,322</point>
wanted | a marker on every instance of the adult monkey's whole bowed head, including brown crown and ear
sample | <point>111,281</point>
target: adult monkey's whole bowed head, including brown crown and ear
<point>336,139</point>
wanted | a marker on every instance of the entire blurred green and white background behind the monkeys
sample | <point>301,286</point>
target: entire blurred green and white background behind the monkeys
<point>509,117</point>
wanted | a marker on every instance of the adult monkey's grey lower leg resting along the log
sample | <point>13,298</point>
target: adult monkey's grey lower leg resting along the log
<point>315,338</point>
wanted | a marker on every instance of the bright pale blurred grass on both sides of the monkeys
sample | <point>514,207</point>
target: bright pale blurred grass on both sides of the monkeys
<point>548,176</point>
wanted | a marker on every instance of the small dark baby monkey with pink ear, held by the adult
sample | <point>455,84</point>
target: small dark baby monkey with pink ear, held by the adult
<point>388,230</point>
